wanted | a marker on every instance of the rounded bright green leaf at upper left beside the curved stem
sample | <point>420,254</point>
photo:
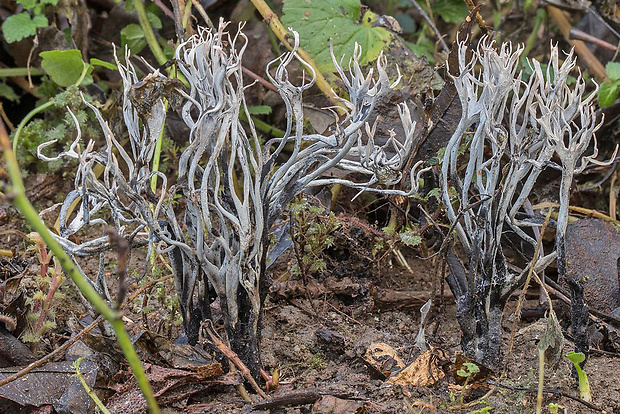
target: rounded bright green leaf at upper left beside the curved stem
<point>65,67</point>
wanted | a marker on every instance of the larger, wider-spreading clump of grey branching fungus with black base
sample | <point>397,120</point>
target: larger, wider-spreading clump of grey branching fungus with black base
<point>233,188</point>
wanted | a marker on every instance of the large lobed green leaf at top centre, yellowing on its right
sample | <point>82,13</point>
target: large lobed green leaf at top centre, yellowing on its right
<point>318,20</point>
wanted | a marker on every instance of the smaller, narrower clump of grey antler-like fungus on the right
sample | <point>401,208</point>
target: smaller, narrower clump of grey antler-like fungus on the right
<point>511,129</point>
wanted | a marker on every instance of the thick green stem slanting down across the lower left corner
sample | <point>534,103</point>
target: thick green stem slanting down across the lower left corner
<point>17,194</point>
